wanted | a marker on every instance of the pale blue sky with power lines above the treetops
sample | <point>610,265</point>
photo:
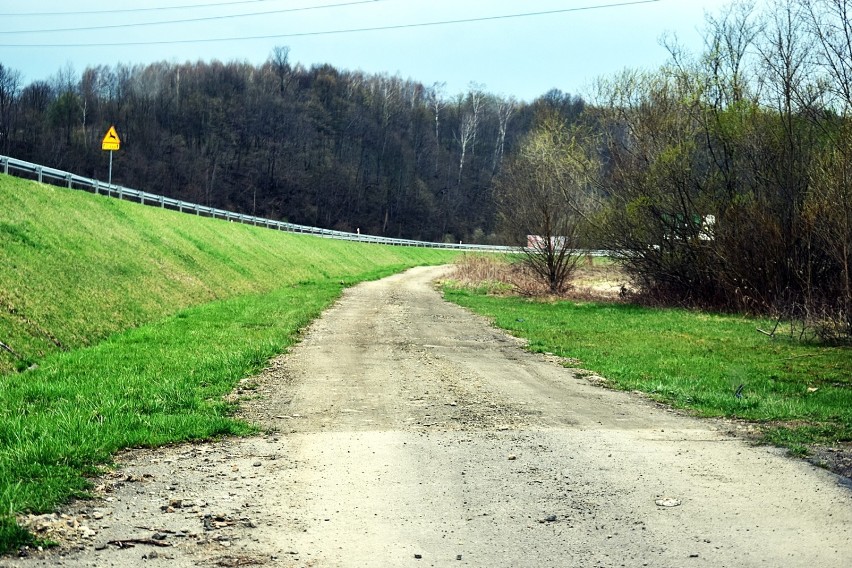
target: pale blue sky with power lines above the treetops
<point>512,48</point>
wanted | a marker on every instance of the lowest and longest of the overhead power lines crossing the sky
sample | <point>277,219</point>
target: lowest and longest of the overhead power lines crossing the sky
<point>344,31</point>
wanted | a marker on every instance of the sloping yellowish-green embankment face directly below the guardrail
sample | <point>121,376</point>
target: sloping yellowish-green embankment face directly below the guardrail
<point>78,267</point>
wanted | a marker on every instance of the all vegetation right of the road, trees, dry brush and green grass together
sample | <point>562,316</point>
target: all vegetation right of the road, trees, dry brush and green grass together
<point>720,182</point>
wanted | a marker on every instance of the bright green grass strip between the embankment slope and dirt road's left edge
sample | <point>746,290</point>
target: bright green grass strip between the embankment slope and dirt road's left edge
<point>153,385</point>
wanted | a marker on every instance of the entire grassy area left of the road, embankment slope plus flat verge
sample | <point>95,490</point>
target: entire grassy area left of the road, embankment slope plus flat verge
<point>129,324</point>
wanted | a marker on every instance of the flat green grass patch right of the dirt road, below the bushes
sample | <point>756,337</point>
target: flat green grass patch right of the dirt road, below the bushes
<point>800,394</point>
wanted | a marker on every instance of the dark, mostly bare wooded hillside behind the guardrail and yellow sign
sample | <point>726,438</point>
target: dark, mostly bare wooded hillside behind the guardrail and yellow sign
<point>319,146</point>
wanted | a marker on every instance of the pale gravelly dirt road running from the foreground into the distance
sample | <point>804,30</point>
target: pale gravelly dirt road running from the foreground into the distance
<point>407,432</point>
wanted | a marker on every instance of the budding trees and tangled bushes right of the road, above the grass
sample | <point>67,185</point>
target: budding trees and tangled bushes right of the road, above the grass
<point>720,180</point>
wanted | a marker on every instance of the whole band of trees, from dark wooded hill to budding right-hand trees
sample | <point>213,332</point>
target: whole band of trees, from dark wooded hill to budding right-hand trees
<point>721,179</point>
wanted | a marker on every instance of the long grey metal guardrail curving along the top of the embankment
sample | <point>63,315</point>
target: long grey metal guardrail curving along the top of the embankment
<point>53,176</point>
